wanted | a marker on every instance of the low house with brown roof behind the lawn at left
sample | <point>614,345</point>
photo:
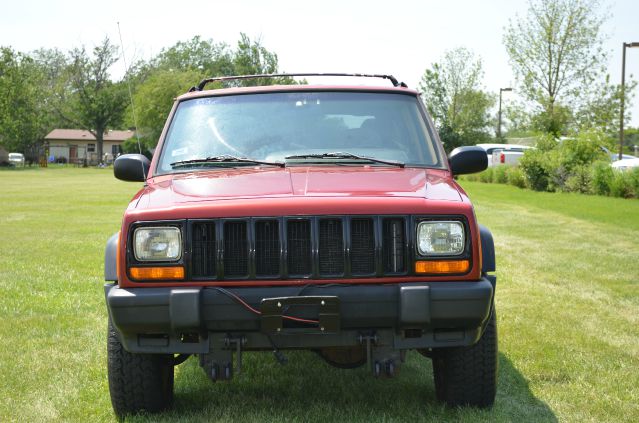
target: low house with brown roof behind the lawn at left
<point>76,145</point>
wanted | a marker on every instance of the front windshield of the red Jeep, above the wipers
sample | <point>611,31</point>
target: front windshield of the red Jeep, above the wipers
<point>273,126</point>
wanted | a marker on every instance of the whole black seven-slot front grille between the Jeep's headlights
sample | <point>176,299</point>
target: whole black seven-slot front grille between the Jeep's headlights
<point>292,247</point>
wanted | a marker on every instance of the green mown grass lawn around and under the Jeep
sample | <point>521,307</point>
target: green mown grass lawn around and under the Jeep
<point>567,301</point>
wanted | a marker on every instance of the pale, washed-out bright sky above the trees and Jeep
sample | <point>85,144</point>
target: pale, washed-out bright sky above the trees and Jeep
<point>398,37</point>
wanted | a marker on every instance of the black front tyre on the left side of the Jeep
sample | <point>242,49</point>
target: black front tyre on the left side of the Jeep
<point>138,382</point>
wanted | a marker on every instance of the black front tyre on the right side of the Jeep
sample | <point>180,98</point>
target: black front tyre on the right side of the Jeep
<point>468,375</point>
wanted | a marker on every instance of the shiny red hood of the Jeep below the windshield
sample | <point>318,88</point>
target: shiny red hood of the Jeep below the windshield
<point>248,183</point>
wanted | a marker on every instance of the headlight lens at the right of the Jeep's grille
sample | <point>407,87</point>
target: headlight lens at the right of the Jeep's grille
<point>440,238</point>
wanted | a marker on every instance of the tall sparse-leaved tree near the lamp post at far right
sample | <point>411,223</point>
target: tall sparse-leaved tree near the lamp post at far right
<point>556,53</point>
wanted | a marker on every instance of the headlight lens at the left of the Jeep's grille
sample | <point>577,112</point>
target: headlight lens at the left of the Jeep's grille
<point>157,244</point>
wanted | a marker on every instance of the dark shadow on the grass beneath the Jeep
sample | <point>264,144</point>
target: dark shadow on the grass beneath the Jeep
<point>307,389</point>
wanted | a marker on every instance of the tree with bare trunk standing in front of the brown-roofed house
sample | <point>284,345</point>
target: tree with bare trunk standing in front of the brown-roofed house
<point>90,99</point>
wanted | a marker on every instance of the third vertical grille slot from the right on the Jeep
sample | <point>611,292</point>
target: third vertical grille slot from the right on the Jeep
<point>331,247</point>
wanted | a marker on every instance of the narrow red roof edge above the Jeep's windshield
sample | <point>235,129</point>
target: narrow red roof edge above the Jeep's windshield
<point>296,88</point>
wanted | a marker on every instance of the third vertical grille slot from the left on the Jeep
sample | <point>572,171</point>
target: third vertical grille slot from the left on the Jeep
<point>267,248</point>
